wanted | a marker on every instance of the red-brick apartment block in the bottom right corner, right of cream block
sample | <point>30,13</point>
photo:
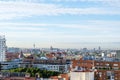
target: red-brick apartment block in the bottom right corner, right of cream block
<point>107,70</point>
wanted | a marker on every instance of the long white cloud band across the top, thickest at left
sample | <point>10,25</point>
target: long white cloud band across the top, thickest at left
<point>12,10</point>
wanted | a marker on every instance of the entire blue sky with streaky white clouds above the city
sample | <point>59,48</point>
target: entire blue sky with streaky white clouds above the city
<point>61,23</point>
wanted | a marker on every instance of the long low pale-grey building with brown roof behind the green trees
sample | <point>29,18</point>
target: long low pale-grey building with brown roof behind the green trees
<point>52,65</point>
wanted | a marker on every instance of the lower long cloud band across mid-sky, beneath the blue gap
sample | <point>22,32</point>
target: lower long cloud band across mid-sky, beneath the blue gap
<point>92,25</point>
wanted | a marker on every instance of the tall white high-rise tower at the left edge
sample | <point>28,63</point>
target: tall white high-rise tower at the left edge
<point>2,48</point>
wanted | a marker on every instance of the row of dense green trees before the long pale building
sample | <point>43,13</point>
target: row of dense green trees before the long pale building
<point>34,71</point>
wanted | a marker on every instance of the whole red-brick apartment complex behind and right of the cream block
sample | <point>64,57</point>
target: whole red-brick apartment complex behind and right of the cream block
<point>103,70</point>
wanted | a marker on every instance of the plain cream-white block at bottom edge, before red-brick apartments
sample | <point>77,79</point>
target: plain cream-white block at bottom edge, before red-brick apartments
<point>82,75</point>
